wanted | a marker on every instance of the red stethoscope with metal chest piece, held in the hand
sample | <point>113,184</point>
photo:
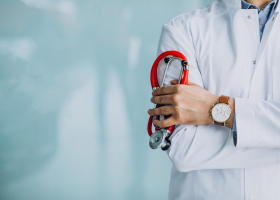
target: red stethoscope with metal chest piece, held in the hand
<point>160,138</point>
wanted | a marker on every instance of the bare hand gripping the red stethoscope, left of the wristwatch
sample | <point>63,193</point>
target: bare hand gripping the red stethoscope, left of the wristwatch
<point>187,104</point>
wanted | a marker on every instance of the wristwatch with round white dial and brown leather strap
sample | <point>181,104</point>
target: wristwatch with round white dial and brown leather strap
<point>221,111</point>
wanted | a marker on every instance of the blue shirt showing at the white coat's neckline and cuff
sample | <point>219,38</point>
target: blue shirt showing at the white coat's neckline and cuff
<point>264,15</point>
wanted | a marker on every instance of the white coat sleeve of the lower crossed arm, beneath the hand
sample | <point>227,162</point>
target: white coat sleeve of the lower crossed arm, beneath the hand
<point>211,147</point>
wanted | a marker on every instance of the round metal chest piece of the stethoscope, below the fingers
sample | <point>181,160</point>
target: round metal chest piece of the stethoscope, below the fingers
<point>158,139</point>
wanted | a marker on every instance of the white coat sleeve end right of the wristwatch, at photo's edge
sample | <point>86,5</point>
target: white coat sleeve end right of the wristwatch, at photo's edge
<point>257,123</point>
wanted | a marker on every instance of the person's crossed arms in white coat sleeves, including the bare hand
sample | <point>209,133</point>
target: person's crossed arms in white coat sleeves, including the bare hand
<point>199,144</point>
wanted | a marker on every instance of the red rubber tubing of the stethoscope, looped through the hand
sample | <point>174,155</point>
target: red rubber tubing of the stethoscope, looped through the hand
<point>154,82</point>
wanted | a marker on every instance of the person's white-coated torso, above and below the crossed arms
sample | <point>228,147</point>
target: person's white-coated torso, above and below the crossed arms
<point>233,62</point>
